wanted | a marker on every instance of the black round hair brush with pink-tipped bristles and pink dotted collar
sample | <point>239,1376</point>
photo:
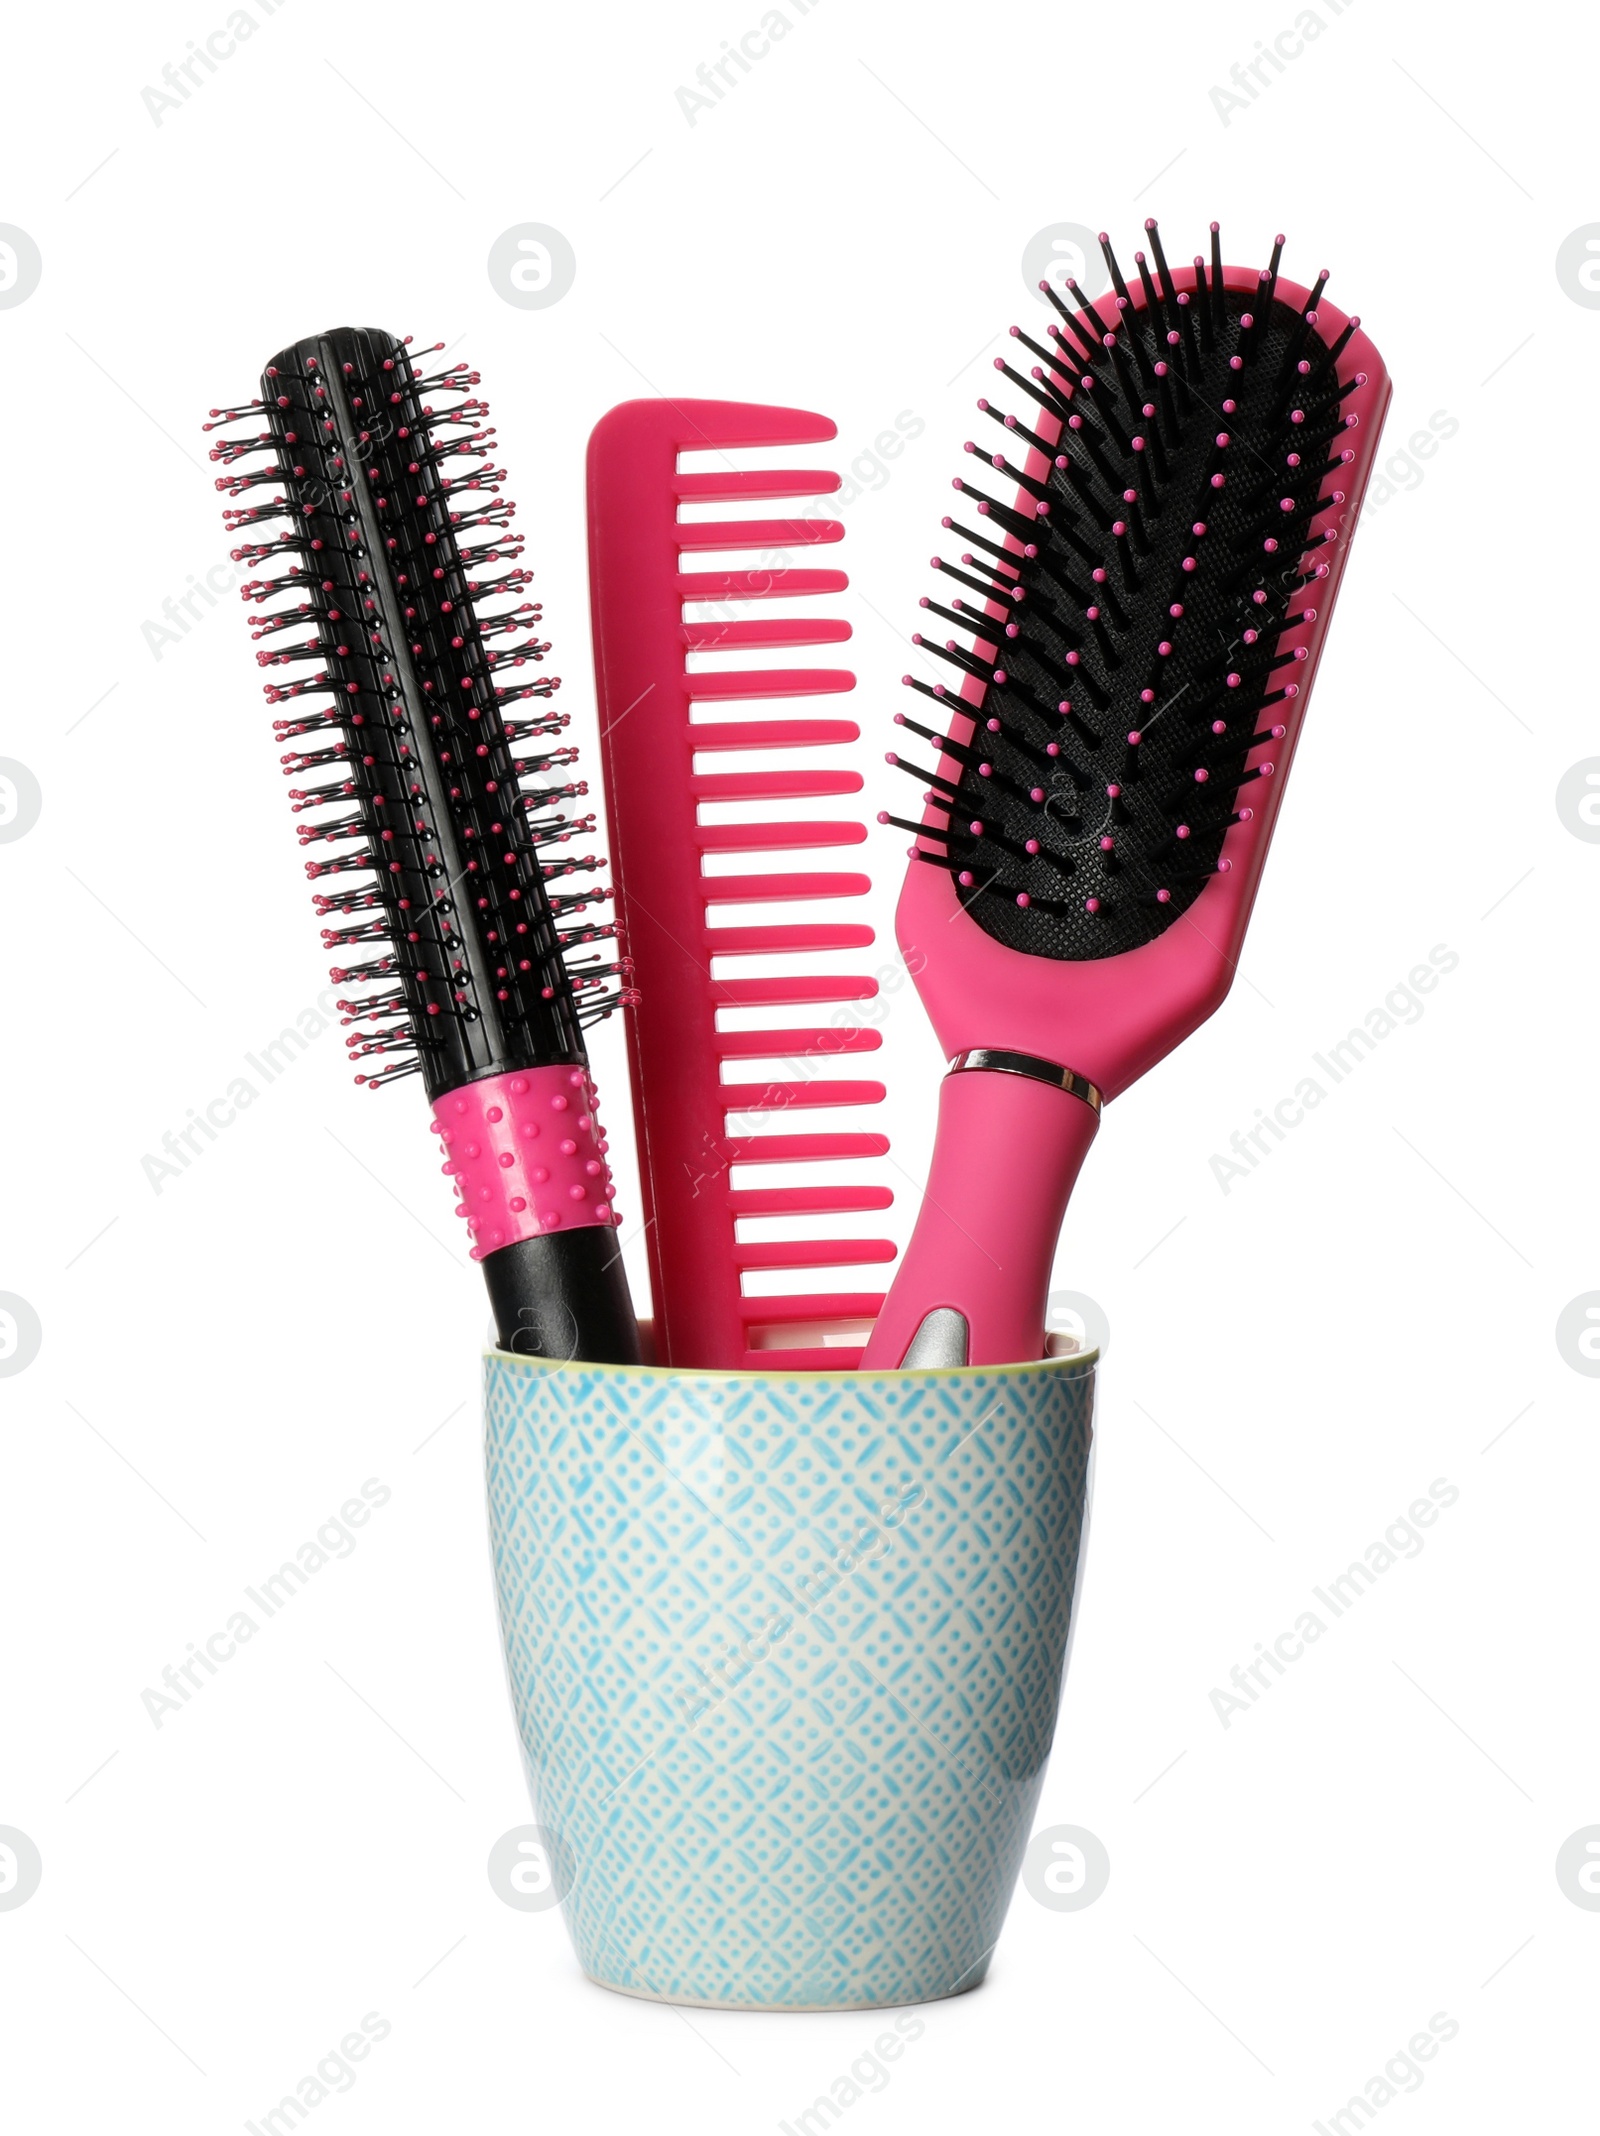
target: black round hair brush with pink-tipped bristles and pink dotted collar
<point>439,815</point>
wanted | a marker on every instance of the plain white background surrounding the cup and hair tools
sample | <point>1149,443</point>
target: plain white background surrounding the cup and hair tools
<point>1291,1366</point>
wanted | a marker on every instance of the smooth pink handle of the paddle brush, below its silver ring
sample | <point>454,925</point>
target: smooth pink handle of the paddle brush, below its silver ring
<point>1005,1161</point>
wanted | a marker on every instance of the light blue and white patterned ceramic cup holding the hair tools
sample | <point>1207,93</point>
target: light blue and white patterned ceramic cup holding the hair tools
<point>787,1656</point>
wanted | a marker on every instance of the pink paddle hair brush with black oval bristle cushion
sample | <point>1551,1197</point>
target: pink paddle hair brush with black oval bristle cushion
<point>1140,635</point>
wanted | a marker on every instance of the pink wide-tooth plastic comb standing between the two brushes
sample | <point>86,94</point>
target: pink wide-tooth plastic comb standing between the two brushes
<point>650,736</point>
